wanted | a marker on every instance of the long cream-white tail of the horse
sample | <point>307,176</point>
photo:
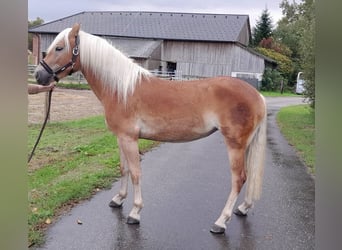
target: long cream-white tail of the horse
<point>255,158</point>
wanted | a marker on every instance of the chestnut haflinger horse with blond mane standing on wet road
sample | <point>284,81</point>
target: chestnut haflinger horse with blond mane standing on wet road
<point>140,105</point>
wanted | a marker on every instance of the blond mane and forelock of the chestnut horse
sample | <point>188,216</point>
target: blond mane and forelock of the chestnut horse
<point>117,72</point>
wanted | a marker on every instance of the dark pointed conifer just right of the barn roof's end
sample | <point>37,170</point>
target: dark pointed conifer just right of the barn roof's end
<point>263,28</point>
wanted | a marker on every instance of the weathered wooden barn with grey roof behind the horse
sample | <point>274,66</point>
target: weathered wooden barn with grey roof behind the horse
<point>185,45</point>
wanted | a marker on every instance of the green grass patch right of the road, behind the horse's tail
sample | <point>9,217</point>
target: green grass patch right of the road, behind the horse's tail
<point>297,124</point>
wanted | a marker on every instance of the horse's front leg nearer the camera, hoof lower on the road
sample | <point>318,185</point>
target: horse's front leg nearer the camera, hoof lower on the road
<point>130,150</point>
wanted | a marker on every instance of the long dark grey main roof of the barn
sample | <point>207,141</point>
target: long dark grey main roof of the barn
<point>155,25</point>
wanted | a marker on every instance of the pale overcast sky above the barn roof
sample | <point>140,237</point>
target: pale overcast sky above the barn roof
<point>50,10</point>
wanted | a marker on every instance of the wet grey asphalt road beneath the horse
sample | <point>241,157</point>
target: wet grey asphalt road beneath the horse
<point>185,186</point>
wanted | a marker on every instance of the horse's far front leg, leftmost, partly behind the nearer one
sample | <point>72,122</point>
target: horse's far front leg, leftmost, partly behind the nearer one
<point>118,199</point>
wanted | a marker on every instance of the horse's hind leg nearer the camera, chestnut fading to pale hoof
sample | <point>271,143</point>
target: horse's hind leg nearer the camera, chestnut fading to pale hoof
<point>237,163</point>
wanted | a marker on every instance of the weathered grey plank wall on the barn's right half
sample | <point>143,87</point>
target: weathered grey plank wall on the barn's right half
<point>205,59</point>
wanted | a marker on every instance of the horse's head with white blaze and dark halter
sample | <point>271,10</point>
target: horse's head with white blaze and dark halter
<point>62,57</point>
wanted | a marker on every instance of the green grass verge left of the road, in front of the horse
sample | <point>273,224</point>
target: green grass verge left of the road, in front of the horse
<point>72,161</point>
